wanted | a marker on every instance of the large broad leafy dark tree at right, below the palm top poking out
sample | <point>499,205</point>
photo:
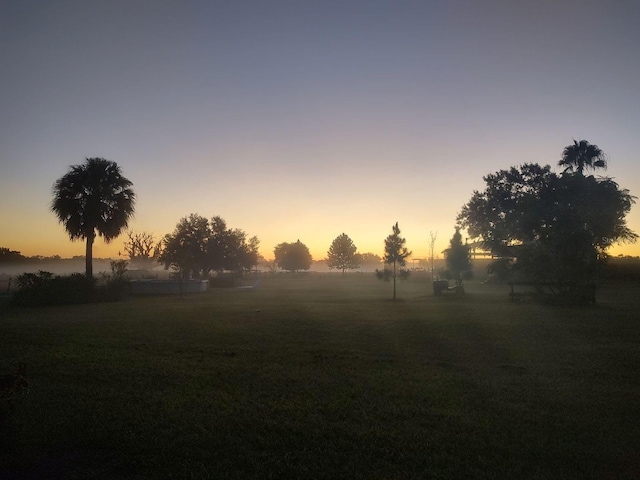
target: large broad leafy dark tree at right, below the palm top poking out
<point>557,226</point>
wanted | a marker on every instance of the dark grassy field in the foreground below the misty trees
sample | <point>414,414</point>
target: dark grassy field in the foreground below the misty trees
<point>324,377</point>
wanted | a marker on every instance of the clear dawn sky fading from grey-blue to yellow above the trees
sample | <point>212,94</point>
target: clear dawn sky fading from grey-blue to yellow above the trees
<point>306,119</point>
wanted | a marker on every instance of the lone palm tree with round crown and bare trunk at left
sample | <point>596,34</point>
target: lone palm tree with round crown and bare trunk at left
<point>93,199</point>
